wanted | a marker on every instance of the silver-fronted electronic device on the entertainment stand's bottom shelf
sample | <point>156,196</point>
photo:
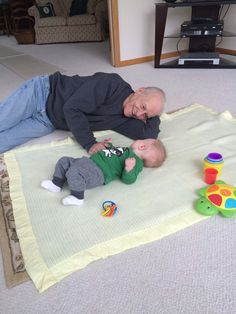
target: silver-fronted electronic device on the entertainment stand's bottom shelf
<point>199,58</point>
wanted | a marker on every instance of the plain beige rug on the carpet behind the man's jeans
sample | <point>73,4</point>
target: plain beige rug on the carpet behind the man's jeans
<point>27,66</point>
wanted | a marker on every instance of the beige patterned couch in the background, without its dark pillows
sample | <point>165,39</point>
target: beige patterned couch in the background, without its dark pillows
<point>90,26</point>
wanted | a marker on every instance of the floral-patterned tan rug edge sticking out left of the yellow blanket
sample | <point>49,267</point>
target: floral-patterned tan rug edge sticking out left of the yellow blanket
<point>14,268</point>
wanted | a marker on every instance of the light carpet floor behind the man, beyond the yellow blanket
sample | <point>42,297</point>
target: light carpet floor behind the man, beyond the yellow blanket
<point>211,87</point>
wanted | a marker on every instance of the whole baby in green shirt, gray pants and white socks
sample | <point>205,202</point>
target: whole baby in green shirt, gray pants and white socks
<point>103,167</point>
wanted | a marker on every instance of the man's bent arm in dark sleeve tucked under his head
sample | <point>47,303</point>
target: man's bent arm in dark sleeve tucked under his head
<point>137,129</point>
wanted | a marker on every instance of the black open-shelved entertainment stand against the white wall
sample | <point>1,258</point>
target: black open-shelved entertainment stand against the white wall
<point>200,10</point>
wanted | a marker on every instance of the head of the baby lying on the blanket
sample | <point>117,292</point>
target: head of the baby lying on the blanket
<point>151,151</point>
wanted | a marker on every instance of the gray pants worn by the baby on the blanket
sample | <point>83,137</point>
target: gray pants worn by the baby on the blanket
<point>80,174</point>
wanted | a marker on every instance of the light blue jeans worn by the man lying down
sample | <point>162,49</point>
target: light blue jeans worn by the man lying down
<point>23,114</point>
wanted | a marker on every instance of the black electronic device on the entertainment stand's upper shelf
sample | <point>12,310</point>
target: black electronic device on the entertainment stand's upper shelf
<point>202,27</point>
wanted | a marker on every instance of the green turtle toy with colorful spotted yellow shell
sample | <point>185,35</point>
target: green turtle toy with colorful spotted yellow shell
<point>217,197</point>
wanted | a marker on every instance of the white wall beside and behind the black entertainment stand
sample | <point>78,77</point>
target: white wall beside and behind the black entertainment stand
<point>137,27</point>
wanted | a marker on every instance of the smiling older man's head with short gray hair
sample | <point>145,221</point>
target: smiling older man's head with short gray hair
<point>144,103</point>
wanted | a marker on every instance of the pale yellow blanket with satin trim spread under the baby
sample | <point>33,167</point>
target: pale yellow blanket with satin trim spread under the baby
<point>58,240</point>
